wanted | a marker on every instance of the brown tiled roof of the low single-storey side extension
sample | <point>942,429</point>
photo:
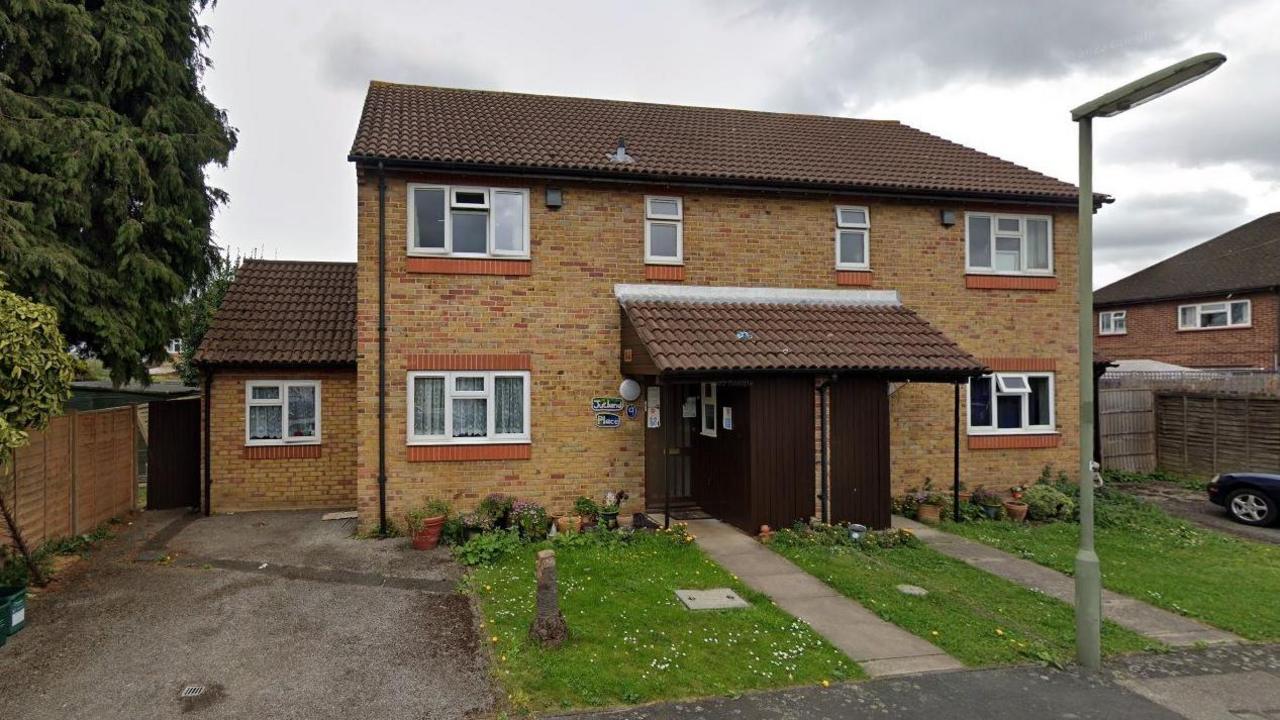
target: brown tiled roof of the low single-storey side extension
<point>286,313</point>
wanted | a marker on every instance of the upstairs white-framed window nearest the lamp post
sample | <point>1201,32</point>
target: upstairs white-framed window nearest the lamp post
<point>1009,244</point>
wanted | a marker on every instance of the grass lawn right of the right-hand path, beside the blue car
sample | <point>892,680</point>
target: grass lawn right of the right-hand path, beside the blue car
<point>1159,559</point>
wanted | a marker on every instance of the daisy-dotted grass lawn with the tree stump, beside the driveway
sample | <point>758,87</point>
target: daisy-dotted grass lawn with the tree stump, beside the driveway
<point>632,641</point>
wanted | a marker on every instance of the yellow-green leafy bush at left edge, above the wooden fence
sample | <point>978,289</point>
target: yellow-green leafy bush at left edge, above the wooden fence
<point>35,368</point>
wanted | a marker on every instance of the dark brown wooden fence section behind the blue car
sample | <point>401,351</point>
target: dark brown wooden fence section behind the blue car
<point>1204,435</point>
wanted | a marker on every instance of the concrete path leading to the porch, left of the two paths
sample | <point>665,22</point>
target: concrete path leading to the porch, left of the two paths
<point>881,648</point>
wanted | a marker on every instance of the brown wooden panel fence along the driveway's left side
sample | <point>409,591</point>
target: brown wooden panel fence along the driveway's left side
<point>74,476</point>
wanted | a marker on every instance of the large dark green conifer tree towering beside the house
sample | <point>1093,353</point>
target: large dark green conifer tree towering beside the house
<point>104,209</point>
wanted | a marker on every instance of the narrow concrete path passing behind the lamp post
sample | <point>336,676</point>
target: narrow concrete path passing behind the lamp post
<point>1146,619</point>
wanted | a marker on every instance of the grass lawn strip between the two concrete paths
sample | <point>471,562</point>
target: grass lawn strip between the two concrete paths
<point>975,617</point>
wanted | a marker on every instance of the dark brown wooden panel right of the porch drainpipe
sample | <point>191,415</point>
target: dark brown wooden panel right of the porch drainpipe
<point>860,453</point>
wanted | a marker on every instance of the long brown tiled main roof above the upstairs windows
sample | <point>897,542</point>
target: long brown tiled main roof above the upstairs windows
<point>449,127</point>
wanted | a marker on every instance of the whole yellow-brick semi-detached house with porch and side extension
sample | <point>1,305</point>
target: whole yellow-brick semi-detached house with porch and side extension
<point>762,317</point>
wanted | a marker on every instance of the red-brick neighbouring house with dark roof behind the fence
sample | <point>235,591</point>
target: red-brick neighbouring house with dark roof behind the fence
<point>1214,306</point>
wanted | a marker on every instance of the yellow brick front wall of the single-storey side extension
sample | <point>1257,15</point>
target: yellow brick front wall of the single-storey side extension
<point>326,482</point>
